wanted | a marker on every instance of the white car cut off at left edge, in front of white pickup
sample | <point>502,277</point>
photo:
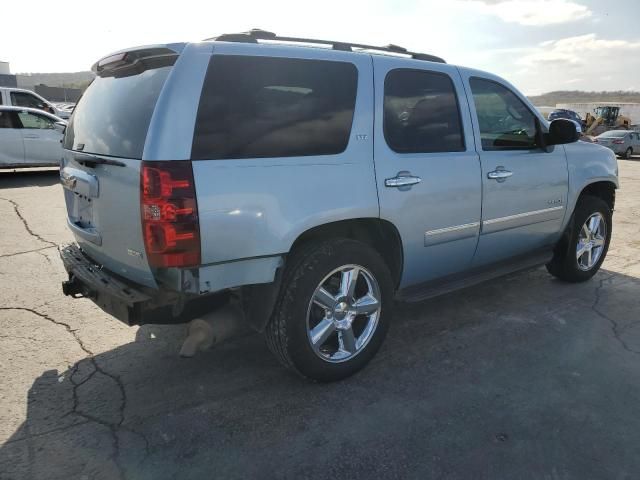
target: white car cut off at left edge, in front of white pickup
<point>29,138</point>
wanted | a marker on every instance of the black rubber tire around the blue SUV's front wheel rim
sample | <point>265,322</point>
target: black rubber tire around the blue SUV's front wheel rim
<point>564,264</point>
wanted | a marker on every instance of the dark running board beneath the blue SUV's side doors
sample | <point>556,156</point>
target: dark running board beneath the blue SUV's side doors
<point>451,283</point>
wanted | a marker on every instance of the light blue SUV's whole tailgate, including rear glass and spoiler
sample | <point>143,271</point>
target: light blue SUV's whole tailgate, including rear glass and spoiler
<point>103,150</point>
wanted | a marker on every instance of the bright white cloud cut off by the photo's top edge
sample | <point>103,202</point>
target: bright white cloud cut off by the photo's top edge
<point>534,12</point>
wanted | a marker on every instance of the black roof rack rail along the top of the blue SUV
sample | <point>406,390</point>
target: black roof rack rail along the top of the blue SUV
<point>252,36</point>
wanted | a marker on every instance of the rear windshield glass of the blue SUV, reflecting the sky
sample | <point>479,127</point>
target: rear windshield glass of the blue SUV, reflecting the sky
<point>113,115</point>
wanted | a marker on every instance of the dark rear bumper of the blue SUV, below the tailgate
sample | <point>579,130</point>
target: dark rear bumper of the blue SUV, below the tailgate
<point>129,303</point>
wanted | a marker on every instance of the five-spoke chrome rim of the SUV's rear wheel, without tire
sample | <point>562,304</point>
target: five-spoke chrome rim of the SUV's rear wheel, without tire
<point>343,313</point>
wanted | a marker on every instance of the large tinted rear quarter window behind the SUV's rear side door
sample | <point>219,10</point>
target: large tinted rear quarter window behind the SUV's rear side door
<point>257,107</point>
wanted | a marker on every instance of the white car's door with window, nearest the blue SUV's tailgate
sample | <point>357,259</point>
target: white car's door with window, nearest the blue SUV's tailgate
<point>41,139</point>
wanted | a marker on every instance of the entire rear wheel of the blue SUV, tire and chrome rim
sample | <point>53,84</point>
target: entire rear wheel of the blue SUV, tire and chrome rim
<point>333,311</point>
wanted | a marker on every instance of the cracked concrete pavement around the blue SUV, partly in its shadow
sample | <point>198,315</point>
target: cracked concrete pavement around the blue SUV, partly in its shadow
<point>521,377</point>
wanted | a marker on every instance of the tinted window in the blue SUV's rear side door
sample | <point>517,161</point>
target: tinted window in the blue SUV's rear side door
<point>421,113</point>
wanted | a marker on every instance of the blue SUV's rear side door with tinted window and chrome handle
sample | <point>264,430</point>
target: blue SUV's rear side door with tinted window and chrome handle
<point>427,169</point>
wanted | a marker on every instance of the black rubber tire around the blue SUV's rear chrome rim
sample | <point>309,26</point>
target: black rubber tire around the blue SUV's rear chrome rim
<point>287,332</point>
